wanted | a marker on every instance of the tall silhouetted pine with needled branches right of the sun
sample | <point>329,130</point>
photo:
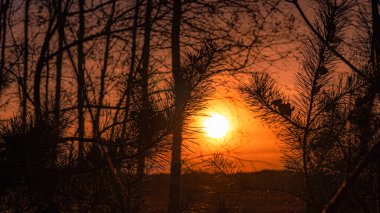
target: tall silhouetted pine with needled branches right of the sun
<point>324,129</point>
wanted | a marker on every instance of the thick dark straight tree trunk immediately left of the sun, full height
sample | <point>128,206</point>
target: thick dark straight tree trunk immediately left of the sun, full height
<point>175,171</point>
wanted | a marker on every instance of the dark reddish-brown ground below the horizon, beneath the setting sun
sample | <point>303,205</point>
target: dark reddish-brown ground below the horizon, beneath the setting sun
<point>264,192</point>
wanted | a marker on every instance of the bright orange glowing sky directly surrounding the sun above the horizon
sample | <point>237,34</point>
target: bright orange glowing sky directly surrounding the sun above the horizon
<point>248,139</point>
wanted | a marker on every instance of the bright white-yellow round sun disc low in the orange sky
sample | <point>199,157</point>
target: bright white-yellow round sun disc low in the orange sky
<point>216,126</point>
